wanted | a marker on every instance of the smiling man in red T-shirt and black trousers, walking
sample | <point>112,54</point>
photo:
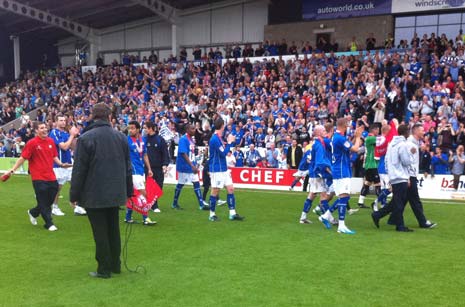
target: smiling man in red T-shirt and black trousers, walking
<point>41,152</point>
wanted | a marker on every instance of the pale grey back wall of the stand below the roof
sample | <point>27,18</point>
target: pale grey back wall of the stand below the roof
<point>218,23</point>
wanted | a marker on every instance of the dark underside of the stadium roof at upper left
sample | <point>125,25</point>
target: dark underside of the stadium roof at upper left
<point>96,14</point>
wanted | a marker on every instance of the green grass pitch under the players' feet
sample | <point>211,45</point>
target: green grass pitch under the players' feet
<point>267,260</point>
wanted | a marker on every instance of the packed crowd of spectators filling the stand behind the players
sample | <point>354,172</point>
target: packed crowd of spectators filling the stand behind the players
<point>267,104</point>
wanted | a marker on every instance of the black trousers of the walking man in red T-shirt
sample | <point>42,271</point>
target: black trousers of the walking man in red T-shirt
<point>46,191</point>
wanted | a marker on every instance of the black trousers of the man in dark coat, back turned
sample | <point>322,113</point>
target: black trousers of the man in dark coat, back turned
<point>105,228</point>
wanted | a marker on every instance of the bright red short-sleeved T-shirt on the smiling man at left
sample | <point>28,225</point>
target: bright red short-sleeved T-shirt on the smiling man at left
<point>40,153</point>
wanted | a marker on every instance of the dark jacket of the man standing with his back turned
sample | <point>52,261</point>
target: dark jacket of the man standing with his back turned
<point>102,170</point>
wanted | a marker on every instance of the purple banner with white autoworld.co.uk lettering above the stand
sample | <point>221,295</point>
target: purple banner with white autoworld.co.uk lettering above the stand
<point>333,9</point>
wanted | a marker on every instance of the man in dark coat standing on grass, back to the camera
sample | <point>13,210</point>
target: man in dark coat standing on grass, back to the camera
<point>101,182</point>
